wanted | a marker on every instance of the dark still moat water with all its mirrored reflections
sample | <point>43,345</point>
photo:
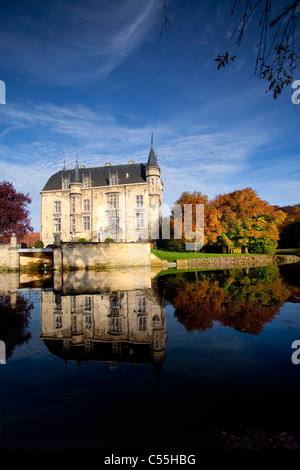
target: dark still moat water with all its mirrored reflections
<point>135,360</point>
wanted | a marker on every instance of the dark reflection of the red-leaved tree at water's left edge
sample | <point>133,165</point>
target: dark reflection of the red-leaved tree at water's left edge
<point>14,322</point>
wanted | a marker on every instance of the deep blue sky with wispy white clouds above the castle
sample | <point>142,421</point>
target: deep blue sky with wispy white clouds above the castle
<point>92,79</point>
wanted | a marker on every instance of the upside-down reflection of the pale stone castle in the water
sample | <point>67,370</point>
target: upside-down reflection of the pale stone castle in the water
<point>104,316</point>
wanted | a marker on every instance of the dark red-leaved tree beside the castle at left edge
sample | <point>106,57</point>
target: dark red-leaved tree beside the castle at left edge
<point>14,215</point>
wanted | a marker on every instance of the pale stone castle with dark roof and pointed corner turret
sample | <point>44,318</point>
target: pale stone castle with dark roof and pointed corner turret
<point>119,202</point>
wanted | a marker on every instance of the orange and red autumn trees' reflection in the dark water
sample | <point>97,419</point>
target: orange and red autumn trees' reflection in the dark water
<point>241,300</point>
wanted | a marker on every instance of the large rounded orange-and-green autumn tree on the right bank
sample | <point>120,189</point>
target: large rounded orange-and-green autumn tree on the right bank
<point>248,221</point>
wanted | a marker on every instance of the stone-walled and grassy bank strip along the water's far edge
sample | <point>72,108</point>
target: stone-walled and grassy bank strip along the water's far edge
<point>95,256</point>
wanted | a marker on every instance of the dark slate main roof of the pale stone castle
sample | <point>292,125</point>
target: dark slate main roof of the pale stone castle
<point>100,175</point>
